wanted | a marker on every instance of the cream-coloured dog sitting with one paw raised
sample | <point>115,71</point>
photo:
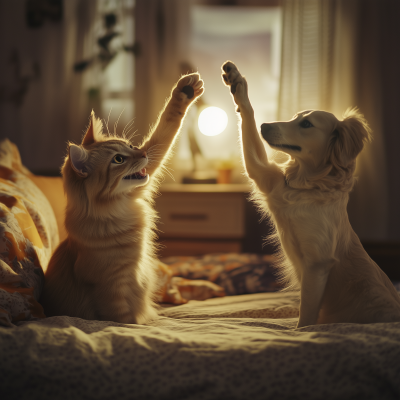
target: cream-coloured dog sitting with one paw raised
<point>306,199</point>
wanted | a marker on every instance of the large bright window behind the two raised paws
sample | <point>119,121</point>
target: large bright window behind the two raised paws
<point>250,37</point>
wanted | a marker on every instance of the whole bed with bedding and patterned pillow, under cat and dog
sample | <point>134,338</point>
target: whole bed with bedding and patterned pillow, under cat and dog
<point>232,344</point>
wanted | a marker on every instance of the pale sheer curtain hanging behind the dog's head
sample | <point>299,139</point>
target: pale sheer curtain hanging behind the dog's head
<point>327,64</point>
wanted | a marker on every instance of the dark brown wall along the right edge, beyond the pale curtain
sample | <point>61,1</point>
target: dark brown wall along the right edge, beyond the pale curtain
<point>378,72</point>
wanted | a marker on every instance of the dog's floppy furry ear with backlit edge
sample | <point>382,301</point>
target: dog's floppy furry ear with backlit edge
<point>348,139</point>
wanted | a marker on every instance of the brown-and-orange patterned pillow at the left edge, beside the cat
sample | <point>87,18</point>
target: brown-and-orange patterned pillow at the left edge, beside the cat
<point>28,236</point>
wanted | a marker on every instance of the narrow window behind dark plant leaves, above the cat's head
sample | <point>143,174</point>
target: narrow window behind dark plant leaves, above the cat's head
<point>110,82</point>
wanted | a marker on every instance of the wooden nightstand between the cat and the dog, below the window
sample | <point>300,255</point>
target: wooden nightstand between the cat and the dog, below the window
<point>199,219</point>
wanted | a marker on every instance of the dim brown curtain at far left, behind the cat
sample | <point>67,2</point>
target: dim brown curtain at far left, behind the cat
<point>54,107</point>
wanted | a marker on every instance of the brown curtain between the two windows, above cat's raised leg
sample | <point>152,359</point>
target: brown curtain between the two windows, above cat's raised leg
<point>162,29</point>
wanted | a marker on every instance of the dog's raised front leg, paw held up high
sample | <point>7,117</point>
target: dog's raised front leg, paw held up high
<point>265,174</point>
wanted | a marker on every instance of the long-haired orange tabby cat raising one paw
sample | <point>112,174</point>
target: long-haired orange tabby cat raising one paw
<point>104,269</point>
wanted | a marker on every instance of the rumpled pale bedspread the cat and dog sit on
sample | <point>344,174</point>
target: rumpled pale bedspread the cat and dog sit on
<point>240,347</point>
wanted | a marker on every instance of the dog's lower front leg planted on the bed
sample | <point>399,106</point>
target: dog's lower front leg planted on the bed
<point>313,283</point>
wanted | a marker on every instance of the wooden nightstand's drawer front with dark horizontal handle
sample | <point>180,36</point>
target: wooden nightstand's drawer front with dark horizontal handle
<point>199,215</point>
